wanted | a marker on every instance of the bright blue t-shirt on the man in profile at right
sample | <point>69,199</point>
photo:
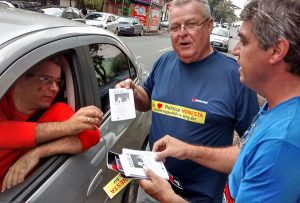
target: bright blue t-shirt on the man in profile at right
<point>267,169</point>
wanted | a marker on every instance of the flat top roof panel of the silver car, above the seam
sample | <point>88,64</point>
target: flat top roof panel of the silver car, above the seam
<point>15,22</point>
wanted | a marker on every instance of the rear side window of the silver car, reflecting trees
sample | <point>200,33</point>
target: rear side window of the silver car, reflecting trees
<point>111,66</point>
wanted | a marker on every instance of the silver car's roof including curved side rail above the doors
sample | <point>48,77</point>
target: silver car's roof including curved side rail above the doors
<point>22,31</point>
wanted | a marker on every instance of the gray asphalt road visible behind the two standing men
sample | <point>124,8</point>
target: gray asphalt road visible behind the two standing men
<point>148,48</point>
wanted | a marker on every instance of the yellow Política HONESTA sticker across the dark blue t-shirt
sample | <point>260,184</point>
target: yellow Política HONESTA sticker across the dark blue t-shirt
<point>178,112</point>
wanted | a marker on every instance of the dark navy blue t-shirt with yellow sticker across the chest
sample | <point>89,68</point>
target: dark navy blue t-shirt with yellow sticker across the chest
<point>199,103</point>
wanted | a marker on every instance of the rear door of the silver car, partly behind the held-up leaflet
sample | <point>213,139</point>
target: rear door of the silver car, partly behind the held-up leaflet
<point>111,66</point>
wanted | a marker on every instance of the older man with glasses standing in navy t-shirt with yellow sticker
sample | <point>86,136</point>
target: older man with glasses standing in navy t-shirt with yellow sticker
<point>196,96</point>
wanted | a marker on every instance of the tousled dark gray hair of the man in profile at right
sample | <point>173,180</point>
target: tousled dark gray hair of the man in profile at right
<point>275,19</point>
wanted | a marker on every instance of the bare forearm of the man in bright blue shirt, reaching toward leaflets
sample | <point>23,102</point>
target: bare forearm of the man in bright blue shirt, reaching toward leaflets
<point>218,159</point>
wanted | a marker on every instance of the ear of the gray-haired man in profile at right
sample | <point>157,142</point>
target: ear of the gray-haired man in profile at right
<point>280,50</point>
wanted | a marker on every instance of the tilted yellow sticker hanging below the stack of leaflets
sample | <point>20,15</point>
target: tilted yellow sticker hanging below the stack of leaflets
<point>115,185</point>
